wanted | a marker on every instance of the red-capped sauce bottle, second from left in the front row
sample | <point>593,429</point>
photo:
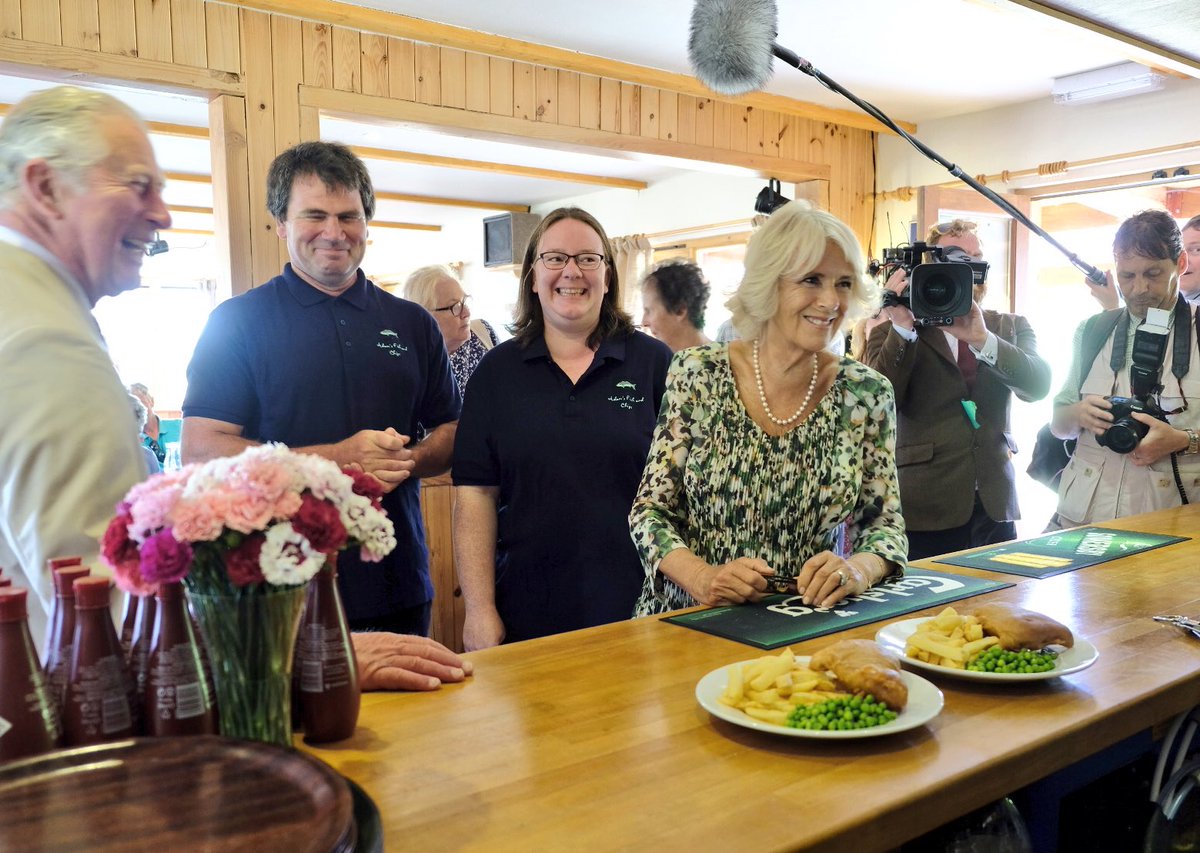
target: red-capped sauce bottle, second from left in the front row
<point>98,704</point>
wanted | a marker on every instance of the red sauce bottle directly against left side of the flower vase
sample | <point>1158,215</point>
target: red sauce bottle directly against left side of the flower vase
<point>177,699</point>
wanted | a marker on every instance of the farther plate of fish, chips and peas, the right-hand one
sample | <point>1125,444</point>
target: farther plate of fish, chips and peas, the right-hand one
<point>952,642</point>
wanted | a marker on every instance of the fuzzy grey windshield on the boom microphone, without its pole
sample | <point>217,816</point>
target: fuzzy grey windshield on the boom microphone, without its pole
<point>730,46</point>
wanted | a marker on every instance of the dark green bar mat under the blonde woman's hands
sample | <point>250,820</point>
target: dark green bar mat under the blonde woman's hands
<point>782,620</point>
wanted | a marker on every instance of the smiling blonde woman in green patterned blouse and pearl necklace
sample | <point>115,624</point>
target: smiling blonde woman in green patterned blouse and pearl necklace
<point>769,446</point>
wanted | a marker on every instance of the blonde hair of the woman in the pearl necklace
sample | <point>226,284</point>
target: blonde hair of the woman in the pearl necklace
<point>790,247</point>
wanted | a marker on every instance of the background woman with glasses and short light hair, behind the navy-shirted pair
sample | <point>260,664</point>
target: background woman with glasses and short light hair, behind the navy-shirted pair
<point>436,290</point>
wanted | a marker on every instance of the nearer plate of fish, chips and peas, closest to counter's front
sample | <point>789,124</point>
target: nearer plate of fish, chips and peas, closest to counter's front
<point>764,693</point>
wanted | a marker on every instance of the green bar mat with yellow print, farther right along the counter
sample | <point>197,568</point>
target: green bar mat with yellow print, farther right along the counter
<point>1059,552</point>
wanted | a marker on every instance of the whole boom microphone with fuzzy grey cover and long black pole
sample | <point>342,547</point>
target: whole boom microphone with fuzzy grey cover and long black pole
<point>731,47</point>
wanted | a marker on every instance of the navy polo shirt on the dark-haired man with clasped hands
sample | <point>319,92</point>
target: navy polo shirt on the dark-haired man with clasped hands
<point>291,364</point>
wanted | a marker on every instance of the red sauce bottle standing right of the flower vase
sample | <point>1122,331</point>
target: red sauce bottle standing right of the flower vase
<point>326,664</point>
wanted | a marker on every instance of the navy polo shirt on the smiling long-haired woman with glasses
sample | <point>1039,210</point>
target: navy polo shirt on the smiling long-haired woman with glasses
<point>568,460</point>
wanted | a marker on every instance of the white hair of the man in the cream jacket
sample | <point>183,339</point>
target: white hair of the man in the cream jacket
<point>59,127</point>
